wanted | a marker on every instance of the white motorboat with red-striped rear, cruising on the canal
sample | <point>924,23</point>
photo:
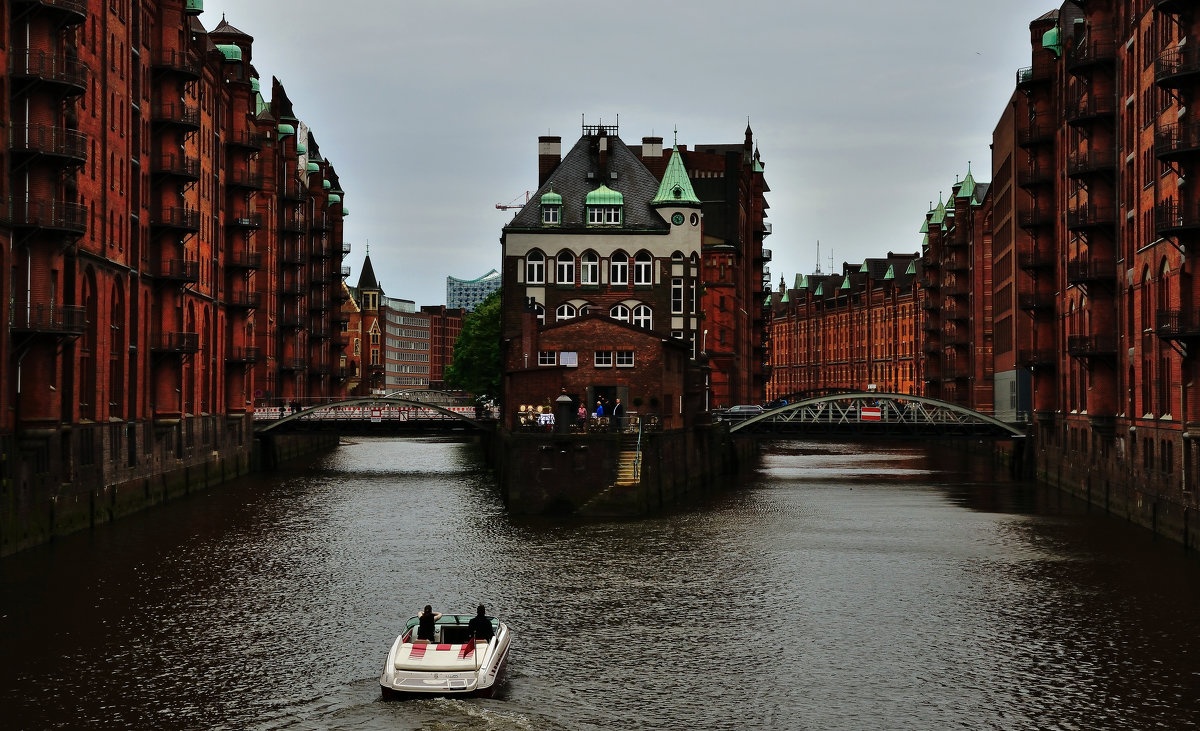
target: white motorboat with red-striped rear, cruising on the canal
<point>453,664</point>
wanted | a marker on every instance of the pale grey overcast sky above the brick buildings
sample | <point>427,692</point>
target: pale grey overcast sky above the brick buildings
<point>863,111</point>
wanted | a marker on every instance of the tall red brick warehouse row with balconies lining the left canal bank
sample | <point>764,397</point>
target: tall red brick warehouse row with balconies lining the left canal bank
<point>172,245</point>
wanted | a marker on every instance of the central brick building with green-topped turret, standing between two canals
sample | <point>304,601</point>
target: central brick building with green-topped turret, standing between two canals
<point>617,239</point>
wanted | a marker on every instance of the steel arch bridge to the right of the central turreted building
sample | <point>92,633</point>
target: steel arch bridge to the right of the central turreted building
<point>872,414</point>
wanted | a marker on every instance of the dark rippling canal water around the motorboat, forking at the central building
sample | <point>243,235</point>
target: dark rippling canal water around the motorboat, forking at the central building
<point>842,588</point>
